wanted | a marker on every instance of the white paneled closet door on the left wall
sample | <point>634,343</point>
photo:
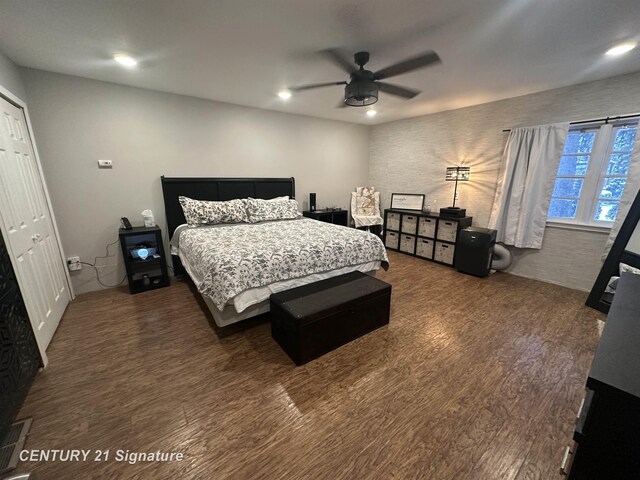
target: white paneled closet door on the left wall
<point>28,228</point>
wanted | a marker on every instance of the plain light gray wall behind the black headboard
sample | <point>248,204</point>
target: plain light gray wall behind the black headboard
<point>147,134</point>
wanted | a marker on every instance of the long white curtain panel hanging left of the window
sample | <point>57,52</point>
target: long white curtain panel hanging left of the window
<point>529,166</point>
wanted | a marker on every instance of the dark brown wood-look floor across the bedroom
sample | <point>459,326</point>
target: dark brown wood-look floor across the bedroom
<point>473,379</point>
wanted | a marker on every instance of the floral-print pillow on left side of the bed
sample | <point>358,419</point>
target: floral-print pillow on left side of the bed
<point>204,212</point>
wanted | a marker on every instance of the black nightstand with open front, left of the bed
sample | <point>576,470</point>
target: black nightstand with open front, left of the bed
<point>148,273</point>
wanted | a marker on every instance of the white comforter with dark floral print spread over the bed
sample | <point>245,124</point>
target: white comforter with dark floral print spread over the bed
<point>235,258</point>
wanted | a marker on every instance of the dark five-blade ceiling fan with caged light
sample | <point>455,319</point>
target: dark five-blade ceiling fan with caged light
<point>363,86</point>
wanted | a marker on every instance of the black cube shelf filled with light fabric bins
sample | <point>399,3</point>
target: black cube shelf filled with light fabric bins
<point>425,235</point>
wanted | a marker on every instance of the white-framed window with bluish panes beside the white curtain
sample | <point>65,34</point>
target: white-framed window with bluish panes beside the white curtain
<point>592,174</point>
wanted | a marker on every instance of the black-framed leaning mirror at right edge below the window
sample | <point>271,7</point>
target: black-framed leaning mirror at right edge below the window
<point>625,249</point>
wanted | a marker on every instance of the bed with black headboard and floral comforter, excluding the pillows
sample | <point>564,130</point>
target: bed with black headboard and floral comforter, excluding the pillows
<point>236,267</point>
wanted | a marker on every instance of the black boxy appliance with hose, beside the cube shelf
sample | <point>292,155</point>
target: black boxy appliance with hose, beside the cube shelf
<point>474,250</point>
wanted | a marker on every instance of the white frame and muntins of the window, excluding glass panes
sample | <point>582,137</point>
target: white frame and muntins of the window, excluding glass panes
<point>596,174</point>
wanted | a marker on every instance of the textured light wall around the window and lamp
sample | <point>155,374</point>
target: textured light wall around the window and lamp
<point>411,156</point>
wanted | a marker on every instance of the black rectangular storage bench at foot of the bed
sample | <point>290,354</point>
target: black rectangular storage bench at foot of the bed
<point>314,319</point>
